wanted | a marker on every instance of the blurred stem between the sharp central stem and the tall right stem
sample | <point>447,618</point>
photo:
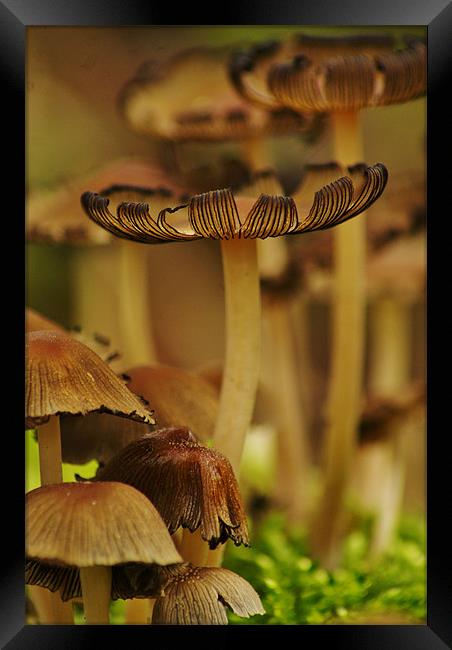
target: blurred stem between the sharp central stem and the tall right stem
<point>293,452</point>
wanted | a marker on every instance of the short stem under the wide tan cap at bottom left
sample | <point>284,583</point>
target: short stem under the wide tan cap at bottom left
<point>96,594</point>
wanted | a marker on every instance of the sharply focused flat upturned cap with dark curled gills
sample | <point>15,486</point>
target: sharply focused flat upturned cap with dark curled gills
<point>326,198</point>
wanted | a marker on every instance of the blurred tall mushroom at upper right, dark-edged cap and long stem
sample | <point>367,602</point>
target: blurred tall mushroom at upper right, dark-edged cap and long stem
<point>340,76</point>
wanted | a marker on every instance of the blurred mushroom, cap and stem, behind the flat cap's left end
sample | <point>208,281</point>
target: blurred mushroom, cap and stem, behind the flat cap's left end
<point>55,217</point>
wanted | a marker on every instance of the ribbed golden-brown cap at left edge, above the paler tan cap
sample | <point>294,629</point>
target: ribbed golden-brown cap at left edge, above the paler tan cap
<point>64,376</point>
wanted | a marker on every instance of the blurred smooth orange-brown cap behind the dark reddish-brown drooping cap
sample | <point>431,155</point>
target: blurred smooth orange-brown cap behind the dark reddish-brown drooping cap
<point>179,397</point>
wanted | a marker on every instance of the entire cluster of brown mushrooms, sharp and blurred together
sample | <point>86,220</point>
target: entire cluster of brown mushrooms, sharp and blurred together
<point>151,525</point>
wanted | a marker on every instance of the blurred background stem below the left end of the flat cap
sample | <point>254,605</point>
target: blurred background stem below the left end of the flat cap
<point>134,311</point>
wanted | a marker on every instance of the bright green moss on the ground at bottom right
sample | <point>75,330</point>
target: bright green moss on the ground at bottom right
<point>295,590</point>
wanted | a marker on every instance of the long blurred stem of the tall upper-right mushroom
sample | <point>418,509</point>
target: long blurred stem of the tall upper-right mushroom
<point>347,358</point>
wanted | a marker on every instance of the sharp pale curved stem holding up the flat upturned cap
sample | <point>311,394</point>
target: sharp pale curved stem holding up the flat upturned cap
<point>243,341</point>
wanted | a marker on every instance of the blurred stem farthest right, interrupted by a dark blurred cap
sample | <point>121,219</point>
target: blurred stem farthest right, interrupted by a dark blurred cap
<point>390,371</point>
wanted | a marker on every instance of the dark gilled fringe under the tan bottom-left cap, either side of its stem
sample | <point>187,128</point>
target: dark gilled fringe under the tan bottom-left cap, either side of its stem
<point>131,580</point>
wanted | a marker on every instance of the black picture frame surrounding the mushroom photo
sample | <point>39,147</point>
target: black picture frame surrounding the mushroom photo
<point>436,15</point>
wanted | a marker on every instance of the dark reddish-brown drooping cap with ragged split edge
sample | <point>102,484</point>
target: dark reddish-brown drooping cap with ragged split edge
<point>190,485</point>
